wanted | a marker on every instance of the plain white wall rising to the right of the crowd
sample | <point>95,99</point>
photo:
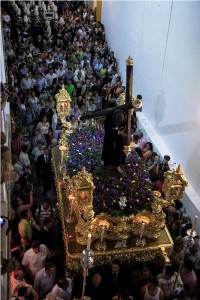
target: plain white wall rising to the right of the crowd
<point>163,37</point>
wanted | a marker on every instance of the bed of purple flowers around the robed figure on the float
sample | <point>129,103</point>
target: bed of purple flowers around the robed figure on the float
<point>85,148</point>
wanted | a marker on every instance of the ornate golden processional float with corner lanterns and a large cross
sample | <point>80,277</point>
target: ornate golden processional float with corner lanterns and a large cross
<point>81,226</point>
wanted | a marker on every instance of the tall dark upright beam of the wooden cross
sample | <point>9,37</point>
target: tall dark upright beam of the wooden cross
<point>129,84</point>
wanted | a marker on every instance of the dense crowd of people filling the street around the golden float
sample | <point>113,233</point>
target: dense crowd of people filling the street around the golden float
<point>42,55</point>
